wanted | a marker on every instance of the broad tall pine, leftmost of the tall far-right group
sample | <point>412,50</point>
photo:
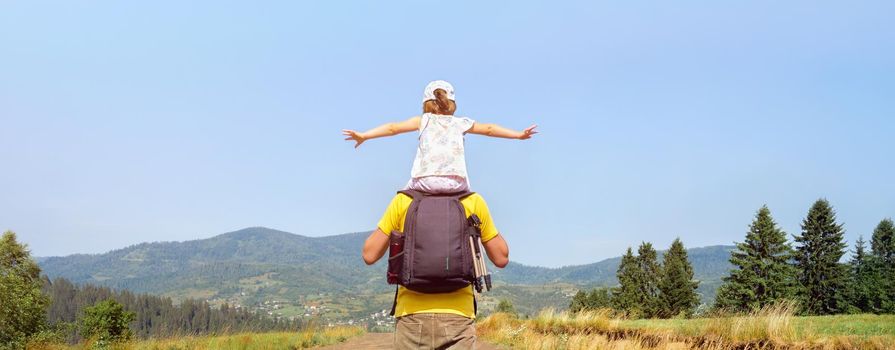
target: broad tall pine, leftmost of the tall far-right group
<point>762,273</point>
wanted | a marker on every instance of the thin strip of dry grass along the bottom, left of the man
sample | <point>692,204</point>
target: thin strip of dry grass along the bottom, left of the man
<point>245,341</point>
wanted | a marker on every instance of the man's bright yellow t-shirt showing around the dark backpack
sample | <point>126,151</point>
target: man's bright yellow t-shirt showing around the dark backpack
<point>458,302</point>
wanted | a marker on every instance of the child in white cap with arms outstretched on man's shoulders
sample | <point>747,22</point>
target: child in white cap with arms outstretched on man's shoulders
<point>440,163</point>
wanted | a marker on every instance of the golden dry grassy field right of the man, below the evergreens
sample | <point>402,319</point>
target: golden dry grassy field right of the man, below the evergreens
<point>773,328</point>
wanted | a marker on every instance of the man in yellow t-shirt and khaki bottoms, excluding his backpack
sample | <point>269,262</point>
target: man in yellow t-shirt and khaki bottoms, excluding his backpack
<point>442,320</point>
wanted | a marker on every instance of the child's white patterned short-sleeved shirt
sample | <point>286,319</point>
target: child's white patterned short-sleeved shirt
<point>440,151</point>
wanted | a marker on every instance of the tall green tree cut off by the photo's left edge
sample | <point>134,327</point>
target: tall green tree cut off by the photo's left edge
<point>22,304</point>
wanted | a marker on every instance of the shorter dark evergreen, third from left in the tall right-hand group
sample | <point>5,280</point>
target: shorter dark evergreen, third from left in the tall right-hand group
<point>866,286</point>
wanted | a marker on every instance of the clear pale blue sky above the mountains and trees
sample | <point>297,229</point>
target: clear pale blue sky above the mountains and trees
<point>128,122</point>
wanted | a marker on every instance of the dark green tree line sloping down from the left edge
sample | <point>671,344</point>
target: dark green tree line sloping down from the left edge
<point>32,307</point>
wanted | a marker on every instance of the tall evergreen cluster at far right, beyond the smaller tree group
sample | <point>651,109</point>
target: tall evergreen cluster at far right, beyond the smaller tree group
<point>768,270</point>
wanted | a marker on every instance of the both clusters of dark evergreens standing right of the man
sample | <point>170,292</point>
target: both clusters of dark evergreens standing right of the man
<point>766,270</point>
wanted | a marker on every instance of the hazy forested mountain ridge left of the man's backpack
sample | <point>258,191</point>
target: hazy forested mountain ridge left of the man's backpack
<point>219,266</point>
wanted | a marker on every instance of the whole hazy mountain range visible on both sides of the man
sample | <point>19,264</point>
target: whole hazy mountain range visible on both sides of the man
<point>257,264</point>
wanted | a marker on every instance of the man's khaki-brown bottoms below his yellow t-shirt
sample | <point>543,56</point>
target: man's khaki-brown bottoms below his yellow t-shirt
<point>434,331</point>
